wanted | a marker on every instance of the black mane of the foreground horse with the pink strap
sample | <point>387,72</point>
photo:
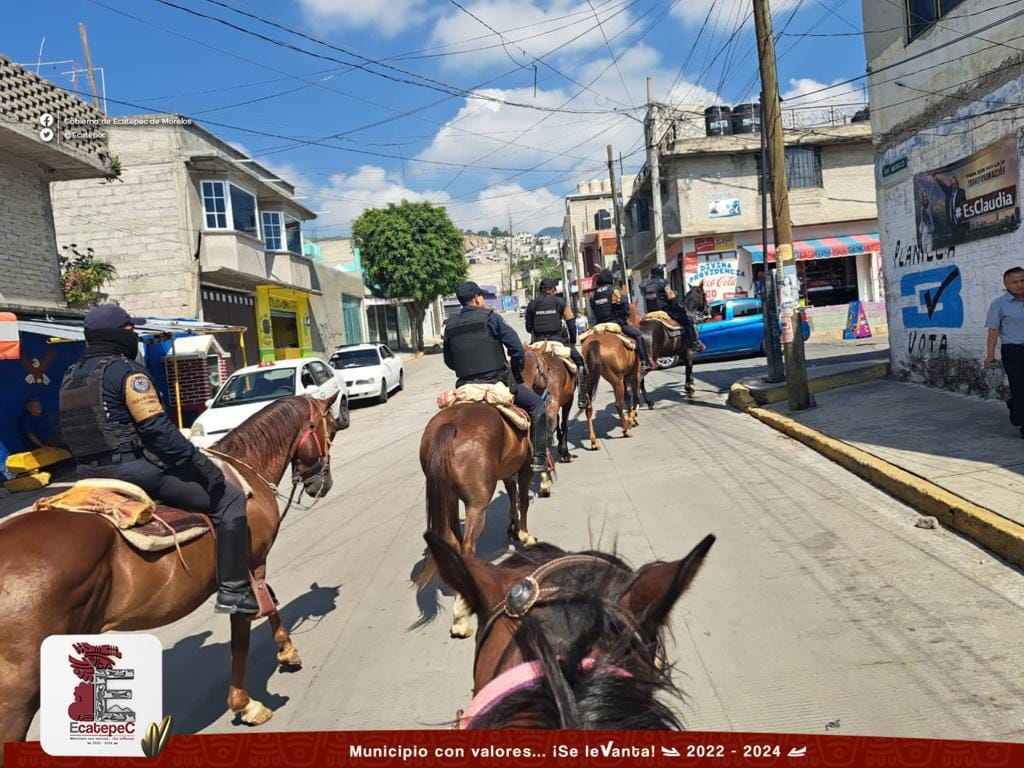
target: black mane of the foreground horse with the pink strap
<point>570,697</point>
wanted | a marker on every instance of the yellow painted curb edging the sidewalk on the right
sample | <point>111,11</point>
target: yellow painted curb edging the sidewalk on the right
<point>984,527</point>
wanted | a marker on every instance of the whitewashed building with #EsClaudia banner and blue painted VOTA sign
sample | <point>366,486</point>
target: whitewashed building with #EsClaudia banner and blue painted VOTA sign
<point>946,89</point>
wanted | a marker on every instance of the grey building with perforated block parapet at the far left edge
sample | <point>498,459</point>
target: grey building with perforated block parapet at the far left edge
<point>35,152</point>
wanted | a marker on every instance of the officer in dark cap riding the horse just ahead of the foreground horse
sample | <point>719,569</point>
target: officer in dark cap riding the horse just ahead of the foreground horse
<point>476,343</point>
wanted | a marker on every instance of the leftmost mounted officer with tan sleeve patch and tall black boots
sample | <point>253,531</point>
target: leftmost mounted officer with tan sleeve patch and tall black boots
<point>116,428</point>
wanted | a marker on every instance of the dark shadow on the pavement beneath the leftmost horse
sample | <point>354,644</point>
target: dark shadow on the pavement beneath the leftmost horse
<point>197,675</point>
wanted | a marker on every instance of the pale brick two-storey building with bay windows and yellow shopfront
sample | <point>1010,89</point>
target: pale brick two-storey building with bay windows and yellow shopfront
<point>198,230</point>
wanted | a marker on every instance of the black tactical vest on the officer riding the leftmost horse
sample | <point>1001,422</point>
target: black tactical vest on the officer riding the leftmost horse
<point>86,422</point>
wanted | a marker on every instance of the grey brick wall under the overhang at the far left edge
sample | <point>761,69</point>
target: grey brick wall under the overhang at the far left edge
<point>28,248</point>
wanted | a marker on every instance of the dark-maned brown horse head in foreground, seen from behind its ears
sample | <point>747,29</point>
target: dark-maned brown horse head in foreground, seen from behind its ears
<point>569,641</point>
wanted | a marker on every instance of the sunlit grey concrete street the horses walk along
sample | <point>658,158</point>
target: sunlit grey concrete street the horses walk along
<point>822,606</point>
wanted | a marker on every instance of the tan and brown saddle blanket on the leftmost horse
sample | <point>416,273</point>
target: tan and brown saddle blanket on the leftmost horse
<point>146,525</point>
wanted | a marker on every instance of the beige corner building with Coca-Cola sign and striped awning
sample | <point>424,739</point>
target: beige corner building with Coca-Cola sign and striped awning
<point>711,211</point>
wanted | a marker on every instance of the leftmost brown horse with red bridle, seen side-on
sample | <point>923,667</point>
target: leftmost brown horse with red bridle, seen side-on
<point>69,573</point>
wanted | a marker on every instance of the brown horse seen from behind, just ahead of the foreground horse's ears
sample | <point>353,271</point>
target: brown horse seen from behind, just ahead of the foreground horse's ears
<point>466,449</point>
